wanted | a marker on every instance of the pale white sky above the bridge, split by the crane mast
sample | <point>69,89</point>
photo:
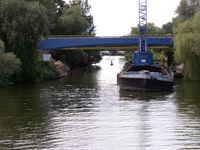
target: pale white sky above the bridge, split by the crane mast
<point>116,17</point>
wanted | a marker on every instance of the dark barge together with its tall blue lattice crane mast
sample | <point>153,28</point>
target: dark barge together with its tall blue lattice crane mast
<point>141,73</point>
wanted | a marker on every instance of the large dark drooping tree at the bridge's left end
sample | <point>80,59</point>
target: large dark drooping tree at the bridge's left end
<point>22,24</point>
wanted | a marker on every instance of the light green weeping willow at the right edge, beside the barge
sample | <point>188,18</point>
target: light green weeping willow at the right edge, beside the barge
<point>187,44</point>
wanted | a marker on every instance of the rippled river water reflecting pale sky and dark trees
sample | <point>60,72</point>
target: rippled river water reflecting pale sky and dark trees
<point>87,111</point>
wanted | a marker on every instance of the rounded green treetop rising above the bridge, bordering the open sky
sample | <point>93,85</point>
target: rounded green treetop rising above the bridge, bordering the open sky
<point>75,20</point>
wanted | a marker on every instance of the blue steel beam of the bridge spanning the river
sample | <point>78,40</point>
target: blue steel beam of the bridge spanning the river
<point>59,43</point>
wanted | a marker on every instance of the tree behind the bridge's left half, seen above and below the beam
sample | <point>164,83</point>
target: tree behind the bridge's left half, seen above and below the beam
<point>76,20</point>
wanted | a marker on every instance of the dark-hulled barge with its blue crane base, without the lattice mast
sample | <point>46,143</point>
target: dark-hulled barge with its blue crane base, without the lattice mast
<point>142,74</point>
